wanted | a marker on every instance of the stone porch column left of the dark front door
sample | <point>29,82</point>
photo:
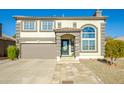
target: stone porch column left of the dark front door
<point>58,41</point>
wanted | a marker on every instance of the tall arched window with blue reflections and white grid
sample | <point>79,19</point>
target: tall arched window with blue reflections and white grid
<point>88,38</point>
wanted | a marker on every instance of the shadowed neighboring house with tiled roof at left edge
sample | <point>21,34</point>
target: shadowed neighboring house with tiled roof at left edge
<point>5,41</point>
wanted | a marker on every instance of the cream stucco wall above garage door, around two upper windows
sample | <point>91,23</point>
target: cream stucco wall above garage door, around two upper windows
<point>35,34</point>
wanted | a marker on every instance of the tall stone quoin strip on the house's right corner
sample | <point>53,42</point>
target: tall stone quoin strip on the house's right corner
<point>102,39</point>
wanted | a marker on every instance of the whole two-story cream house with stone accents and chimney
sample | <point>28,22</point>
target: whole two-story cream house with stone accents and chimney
<point>55,37</point>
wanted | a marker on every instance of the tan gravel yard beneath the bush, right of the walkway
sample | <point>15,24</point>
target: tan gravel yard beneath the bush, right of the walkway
<point>108,74</point>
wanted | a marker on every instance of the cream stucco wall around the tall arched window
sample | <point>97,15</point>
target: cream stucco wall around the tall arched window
<point>80,23</point>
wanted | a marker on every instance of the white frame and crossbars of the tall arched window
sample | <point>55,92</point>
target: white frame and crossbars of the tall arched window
<point>89,38</point>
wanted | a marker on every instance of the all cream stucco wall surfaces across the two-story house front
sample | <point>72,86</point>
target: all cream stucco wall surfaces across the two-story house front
<point>68,23</point>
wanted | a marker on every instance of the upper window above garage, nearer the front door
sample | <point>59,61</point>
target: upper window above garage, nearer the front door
<point>47,25</point>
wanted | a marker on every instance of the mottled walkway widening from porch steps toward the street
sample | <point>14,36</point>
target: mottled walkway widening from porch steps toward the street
<point>70,73</point>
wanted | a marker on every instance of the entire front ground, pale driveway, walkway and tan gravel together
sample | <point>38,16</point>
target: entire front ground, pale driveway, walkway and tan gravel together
<point>47,71</point>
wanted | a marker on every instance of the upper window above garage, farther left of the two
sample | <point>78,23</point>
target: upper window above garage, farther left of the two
<point>29,25</point>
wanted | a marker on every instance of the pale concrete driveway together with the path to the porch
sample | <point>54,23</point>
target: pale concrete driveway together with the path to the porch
<point>46,72</point>
